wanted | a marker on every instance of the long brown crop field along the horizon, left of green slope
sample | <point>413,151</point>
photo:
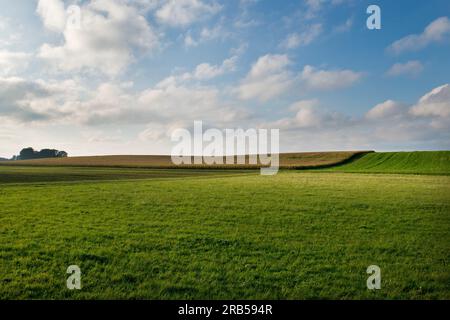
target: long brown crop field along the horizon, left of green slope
<point>307,160</point>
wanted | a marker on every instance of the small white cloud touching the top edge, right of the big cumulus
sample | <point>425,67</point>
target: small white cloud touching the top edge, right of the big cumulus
<point>181,13</point>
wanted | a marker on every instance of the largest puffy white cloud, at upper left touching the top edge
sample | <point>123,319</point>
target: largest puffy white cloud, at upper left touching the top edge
<point>110,36</point>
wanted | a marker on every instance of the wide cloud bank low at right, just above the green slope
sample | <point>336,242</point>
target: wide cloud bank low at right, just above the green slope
<point>386,126</point>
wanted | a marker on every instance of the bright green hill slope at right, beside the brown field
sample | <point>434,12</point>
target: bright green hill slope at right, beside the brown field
<point>423,162</point>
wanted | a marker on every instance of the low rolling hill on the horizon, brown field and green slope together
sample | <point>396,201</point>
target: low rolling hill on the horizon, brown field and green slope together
<point>419,162</point>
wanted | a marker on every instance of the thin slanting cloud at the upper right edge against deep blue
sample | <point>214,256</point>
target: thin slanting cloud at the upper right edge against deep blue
<point>436,31</point>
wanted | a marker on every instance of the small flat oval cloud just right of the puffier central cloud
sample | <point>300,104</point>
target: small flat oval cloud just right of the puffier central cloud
<point>329,79</point>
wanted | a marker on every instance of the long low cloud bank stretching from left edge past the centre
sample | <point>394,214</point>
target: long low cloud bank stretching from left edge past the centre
<point>69,103</point>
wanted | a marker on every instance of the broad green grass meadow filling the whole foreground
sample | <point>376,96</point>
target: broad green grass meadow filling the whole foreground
<point>210,234</point>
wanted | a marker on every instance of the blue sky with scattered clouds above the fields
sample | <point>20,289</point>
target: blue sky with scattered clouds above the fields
<point>119,76</point>
